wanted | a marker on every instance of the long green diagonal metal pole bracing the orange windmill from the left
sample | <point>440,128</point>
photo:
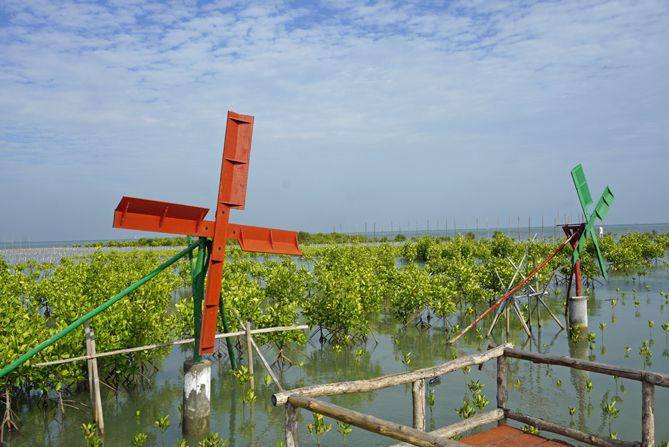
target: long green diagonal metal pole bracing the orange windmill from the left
<point>25,357</point>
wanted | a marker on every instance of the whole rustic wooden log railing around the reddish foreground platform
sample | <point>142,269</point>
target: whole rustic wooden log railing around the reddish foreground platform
<point>416,435</point>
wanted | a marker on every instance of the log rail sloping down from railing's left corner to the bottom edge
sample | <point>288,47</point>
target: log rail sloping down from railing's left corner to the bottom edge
<point>373,424</point>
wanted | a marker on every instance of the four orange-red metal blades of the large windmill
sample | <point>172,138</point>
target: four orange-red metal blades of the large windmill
<point>165,217</point>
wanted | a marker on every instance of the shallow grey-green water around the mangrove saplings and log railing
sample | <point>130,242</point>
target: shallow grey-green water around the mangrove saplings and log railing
<point>536,392</point>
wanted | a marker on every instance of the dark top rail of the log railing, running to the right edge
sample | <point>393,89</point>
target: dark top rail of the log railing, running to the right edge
<point>585,365</point>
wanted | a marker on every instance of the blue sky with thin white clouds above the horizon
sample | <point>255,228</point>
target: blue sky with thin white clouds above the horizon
<point>381,112</point>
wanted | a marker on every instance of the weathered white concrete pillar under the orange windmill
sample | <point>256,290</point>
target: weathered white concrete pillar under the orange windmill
<point>196,404</point>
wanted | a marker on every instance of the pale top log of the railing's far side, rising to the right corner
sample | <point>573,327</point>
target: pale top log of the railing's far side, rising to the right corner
<point>363,386</point>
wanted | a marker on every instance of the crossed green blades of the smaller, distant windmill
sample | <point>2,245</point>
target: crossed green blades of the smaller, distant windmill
<point>600,212</point>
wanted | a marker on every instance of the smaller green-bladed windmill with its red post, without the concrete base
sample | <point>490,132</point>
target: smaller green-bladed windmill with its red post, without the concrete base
<point>586,230</point>
